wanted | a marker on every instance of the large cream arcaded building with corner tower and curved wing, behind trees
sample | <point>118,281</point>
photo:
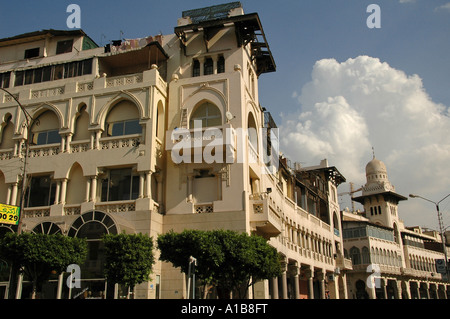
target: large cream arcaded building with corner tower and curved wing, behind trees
<point>114,145</point>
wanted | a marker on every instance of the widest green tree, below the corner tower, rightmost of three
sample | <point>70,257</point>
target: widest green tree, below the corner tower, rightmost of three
<point>226,259</point>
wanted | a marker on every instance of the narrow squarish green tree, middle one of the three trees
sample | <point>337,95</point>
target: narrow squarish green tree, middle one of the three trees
<point>128,259</point>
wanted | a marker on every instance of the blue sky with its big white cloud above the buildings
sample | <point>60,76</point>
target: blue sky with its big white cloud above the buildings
<point>412,46</point>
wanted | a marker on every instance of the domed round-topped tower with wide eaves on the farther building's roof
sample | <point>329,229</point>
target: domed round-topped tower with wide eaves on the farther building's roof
<point>378,195</point>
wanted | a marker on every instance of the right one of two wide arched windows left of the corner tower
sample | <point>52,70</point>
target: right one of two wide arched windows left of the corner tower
<point>123,119</point>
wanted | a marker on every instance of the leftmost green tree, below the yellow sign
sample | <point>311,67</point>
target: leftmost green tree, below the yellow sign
<point>40,254</point>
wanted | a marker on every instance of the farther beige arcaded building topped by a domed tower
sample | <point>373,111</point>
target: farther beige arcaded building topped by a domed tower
<point>390,260</point>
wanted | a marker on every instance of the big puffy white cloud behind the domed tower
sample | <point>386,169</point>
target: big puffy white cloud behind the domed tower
<point>349,107</point>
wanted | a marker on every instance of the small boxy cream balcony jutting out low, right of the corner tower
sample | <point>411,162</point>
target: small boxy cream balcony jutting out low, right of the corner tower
<point>264,218</point>
